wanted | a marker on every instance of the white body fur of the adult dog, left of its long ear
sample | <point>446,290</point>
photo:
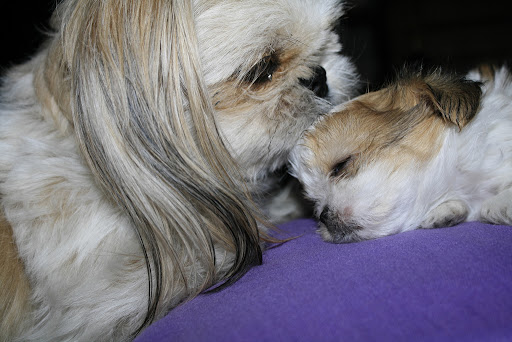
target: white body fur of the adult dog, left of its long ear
<point>76,245</point>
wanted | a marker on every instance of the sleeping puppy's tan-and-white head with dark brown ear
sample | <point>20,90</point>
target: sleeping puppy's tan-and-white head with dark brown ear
<point>366,164</point>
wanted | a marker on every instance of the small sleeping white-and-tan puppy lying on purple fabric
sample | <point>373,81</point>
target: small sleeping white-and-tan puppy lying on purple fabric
<point>430,150</point>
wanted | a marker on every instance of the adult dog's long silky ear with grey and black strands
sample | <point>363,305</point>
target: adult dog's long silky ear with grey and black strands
<point>145,125</point>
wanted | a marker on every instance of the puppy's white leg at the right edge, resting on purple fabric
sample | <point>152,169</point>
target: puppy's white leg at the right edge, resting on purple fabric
<point>498,209</point>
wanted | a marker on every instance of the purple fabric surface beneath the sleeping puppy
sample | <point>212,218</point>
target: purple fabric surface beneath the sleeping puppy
<point>450,284</point>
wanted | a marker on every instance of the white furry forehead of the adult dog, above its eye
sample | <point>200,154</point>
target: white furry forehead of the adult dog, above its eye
<point>234,35</point>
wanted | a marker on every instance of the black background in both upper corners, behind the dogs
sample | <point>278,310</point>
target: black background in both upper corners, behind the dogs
<point>379,35</point>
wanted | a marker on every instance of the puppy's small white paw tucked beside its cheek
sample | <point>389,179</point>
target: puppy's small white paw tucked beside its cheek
<point>446,214</point>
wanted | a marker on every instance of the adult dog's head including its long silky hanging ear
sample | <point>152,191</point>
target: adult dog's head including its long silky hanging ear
<point>177,105</point>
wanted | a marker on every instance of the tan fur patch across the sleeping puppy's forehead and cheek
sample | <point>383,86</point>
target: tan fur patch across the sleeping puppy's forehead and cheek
<point>389,125</point>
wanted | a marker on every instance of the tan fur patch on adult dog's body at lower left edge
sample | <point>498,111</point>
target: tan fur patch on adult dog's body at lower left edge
<point>14,289</point>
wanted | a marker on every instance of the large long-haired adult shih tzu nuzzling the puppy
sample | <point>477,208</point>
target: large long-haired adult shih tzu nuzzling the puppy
<point>138,152</point>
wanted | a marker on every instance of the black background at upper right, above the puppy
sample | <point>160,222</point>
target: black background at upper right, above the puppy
<point>383,35</point>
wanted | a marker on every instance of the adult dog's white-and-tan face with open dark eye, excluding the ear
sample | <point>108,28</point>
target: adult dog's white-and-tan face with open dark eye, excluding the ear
<point>271,67</point>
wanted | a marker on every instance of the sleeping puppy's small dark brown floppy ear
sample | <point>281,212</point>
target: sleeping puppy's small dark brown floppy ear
<point>453,98</point>
